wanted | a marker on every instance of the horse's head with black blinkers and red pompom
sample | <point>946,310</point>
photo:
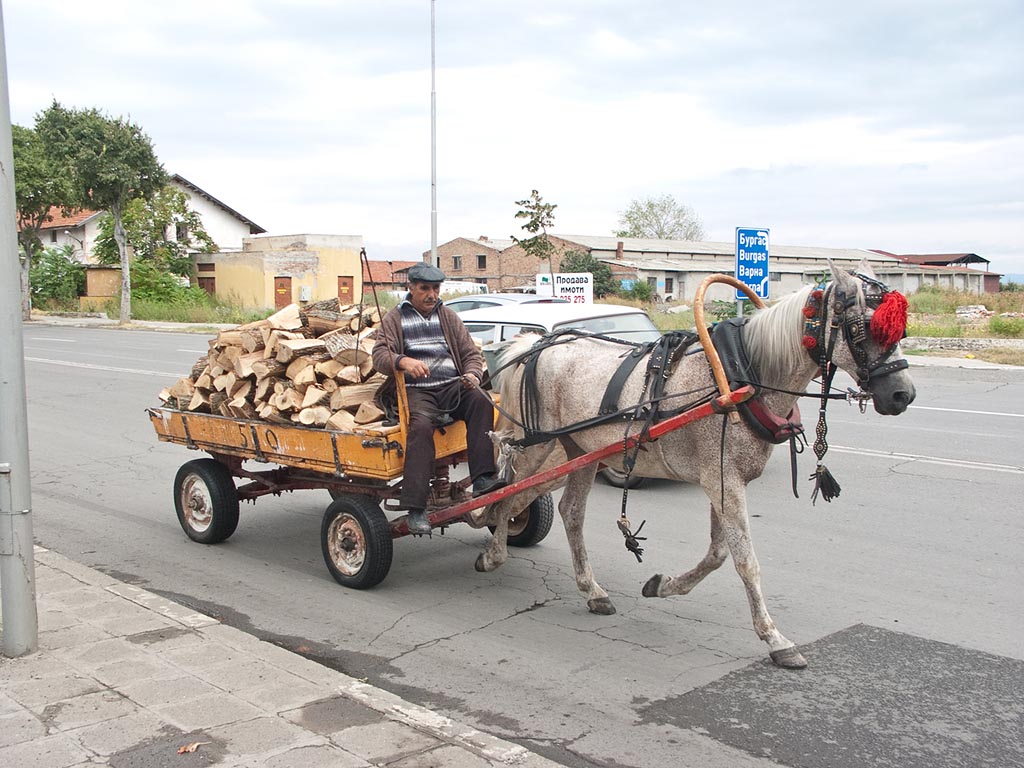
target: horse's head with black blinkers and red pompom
<point>857,323</point>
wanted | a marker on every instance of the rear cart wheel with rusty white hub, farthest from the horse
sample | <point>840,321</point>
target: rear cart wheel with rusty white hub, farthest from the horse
<point>206,501</point>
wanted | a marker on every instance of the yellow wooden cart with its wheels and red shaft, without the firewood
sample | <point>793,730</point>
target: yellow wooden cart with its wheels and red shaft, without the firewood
<point>362,471</point>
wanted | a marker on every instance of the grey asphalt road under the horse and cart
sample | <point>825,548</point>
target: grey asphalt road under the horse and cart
<point>905,593</point>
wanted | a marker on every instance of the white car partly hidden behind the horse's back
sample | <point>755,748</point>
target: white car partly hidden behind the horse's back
<point>497,326</point>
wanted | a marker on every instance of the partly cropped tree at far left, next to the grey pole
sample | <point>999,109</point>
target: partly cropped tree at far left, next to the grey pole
<point>39,185</point>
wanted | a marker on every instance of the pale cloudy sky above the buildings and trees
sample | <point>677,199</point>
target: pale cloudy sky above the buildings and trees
<point>889,124</point>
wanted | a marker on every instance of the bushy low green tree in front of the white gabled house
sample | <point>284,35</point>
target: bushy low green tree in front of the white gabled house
<point>149,225</point>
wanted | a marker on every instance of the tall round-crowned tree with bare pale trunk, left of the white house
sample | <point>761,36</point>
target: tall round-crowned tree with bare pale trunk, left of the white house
<point>110,162</point>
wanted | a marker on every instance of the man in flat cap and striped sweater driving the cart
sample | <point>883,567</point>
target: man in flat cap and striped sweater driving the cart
<point>444,369</point>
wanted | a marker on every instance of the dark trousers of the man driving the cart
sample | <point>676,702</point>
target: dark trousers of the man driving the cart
<point>426,411</point>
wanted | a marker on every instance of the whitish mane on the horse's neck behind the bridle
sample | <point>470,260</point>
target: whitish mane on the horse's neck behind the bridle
<point>774,337</point>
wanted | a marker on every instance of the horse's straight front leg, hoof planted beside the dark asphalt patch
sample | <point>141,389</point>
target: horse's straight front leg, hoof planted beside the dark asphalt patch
<point>738,536</point>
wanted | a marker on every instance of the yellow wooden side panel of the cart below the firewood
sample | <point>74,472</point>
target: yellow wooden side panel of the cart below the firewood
<point>316,450</point>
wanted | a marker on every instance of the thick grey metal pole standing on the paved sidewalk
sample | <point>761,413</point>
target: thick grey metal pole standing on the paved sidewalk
<point>18,577</point>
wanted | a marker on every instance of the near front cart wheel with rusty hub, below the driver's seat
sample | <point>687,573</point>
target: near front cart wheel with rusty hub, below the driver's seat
<point>356,539</point>
